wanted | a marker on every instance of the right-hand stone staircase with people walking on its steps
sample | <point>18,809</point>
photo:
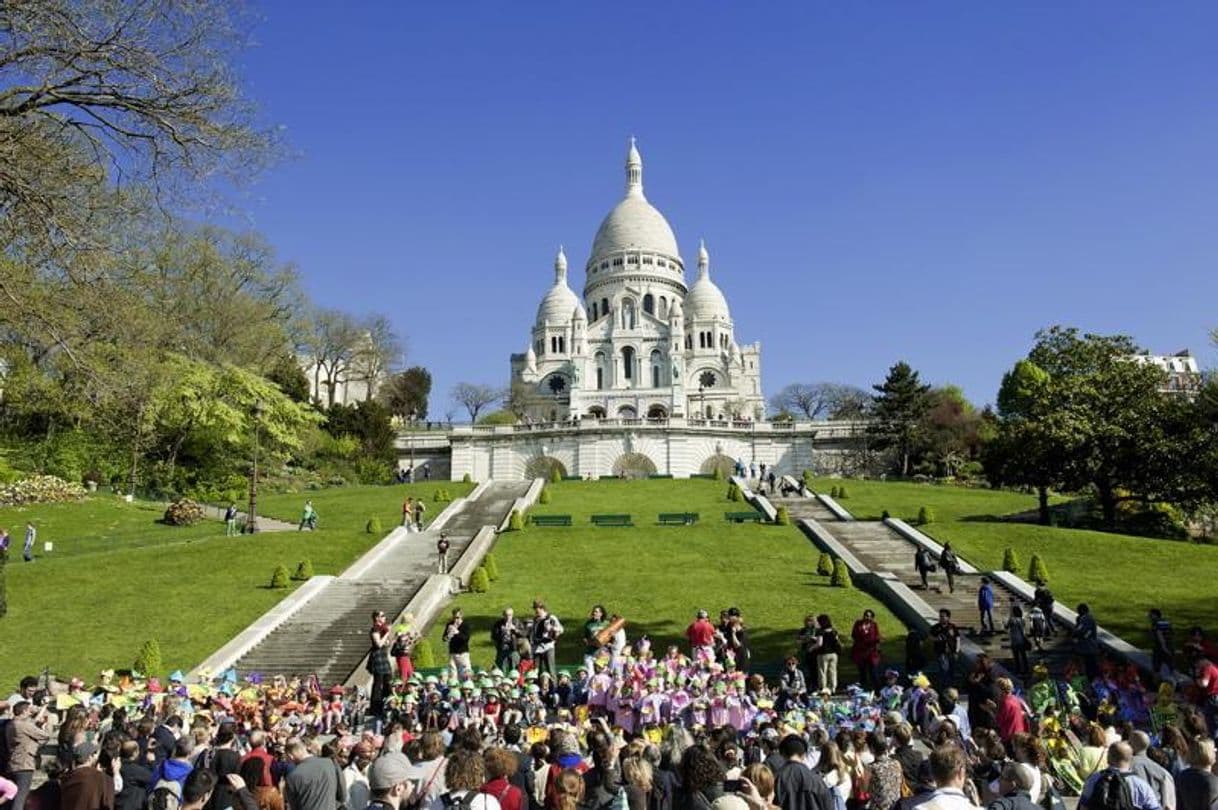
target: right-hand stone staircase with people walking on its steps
<point>881,549</point>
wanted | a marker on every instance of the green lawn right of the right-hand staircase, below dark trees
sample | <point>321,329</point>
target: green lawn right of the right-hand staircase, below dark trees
<point>1121,577</point>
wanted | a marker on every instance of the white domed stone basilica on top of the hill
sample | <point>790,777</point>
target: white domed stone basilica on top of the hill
<point>641,344</point>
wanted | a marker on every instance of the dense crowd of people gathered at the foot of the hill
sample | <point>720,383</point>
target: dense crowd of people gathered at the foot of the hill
<point>690,728</point>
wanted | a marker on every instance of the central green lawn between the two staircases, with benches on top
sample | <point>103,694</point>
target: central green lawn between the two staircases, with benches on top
<point>658,577</point>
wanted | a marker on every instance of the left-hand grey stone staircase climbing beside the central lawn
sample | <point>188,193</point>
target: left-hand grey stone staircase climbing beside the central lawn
<point>329,635</point>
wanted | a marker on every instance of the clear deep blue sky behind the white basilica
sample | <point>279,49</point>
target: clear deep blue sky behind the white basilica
<point>876,182</point>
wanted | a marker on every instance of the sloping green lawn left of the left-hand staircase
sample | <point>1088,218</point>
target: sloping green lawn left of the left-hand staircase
<point>118,577</point>
